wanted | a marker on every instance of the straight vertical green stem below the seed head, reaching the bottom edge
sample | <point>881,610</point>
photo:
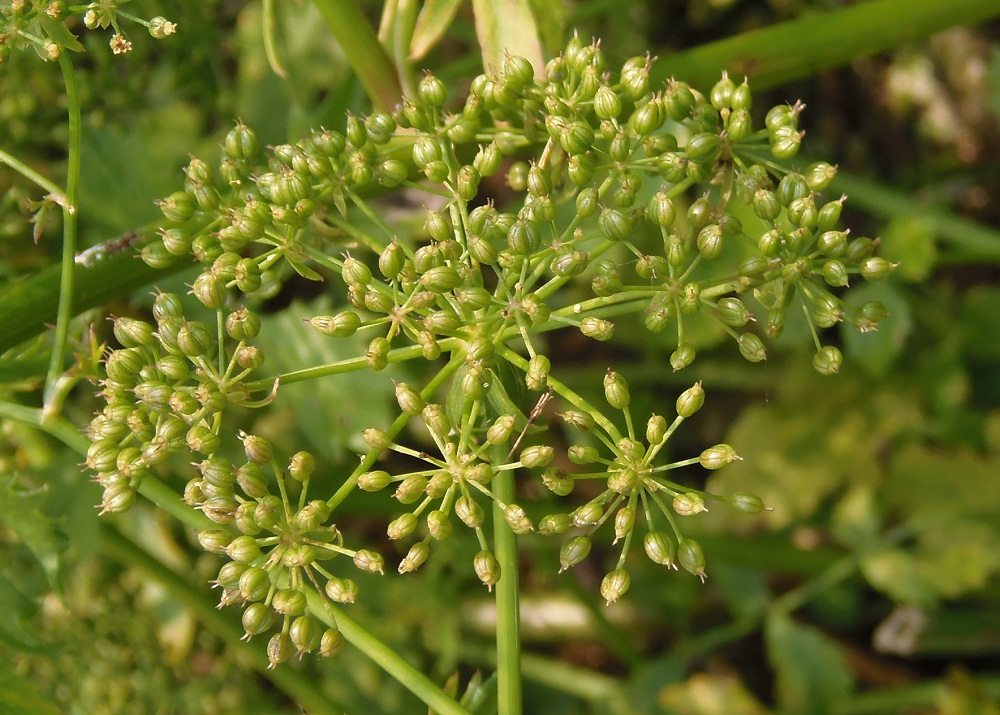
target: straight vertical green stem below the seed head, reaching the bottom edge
<point>508,604</point>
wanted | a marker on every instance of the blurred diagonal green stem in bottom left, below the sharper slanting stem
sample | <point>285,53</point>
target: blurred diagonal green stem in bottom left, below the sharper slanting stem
<point>290,681</point>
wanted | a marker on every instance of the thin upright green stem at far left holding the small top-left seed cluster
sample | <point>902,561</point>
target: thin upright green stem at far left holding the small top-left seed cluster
<point>65,310</point>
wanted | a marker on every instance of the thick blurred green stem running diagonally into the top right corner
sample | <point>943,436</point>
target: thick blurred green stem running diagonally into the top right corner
<point>816,42</point>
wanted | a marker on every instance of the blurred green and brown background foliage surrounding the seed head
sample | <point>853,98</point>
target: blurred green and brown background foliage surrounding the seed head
<point>871,587</point>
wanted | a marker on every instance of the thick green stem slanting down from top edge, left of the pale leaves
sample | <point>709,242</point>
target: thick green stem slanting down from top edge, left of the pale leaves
<point>363,50</point>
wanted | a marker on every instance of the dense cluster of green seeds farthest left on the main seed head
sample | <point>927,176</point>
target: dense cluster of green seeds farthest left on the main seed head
<point>166,391</point>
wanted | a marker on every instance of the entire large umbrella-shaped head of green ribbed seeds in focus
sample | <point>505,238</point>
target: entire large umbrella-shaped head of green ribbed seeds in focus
<point>627,204</point>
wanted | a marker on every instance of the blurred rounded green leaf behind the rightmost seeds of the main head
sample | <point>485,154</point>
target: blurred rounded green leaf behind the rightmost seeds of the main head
<point>877,352</point>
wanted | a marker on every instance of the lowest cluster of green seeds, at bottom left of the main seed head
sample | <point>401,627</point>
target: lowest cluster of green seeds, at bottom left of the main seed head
<point>276,543</point>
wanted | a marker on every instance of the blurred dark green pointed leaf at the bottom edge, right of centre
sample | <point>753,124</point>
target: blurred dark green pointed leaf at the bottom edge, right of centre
<point>810,670</point>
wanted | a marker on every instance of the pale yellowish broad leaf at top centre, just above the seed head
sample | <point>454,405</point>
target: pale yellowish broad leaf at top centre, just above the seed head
<point>507,27</point>
